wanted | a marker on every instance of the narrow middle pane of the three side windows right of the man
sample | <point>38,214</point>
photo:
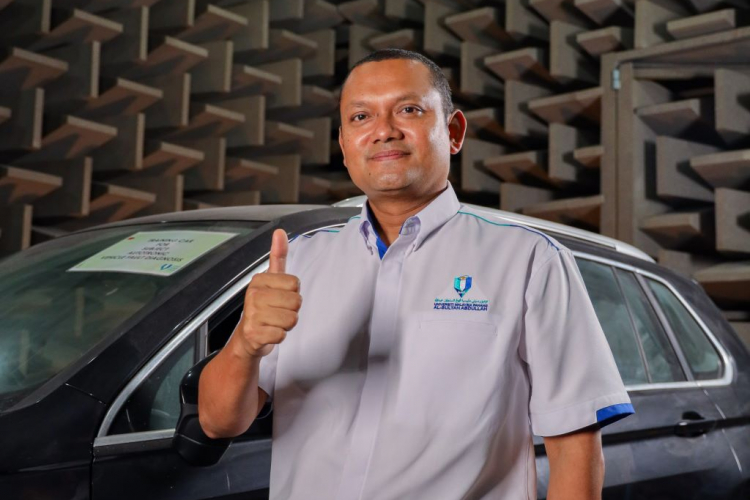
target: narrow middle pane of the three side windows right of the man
<point>663,364</point>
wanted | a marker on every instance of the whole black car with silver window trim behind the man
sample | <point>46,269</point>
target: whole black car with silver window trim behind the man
<point>95,341</point>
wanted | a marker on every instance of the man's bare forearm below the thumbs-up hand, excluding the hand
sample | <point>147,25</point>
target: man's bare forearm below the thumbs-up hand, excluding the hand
<point>228,394</point>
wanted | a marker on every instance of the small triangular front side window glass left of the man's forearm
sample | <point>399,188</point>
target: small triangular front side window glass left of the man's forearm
<point>155,404</point>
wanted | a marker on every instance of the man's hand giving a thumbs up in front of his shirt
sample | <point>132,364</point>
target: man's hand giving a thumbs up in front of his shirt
<point>272,301</point>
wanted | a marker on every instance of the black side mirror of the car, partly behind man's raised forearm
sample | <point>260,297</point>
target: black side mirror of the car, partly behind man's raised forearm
<point>189,440</point>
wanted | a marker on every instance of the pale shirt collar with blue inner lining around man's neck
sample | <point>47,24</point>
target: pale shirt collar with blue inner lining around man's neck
<point>423,223</point>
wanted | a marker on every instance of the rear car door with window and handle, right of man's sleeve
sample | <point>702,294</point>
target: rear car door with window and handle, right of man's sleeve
<point>671,447</point>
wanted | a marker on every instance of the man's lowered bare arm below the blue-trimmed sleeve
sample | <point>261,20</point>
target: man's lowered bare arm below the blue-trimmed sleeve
<point>576,466</point>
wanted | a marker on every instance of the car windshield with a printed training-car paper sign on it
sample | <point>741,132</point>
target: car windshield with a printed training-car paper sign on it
<point>60,298</point>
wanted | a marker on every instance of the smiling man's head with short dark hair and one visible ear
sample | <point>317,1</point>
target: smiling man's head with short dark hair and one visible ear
<point>394,133</point>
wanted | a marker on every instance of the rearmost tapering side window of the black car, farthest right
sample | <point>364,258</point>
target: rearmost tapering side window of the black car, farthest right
<point>700,353</point>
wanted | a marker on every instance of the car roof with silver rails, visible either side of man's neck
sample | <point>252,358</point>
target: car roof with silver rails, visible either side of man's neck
<point>265,213</point>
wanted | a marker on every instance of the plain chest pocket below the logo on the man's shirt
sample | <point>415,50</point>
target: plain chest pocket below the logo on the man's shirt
<point>447,371</point>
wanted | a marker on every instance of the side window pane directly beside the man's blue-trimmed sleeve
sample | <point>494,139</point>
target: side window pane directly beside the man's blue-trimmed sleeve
<point>613,315</point>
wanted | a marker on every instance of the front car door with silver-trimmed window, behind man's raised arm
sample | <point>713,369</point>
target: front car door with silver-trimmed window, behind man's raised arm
<point>133,454</point>
